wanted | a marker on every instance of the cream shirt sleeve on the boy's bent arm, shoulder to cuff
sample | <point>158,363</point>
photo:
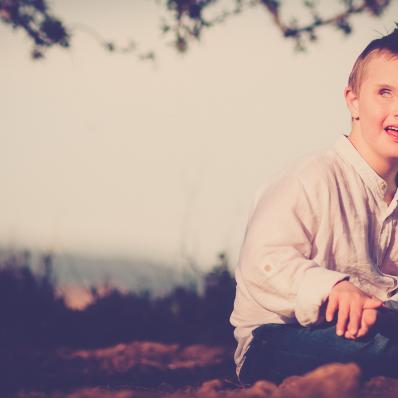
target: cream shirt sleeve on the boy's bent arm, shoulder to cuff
<point>275,259</point>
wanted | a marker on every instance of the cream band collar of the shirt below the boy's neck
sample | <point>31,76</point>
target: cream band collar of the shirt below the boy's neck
<point>349,153</point>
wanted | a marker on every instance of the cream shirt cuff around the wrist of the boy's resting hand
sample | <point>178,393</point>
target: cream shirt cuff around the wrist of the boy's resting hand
<point>314,289</point>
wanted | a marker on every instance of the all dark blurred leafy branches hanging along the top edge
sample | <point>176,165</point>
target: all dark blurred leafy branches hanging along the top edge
<point>186,20</point>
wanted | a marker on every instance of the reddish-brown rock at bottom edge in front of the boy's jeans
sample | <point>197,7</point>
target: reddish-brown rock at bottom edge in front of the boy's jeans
<point>328,381</point>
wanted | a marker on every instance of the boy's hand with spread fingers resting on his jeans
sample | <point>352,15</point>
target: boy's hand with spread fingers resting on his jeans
<point>350,302</point>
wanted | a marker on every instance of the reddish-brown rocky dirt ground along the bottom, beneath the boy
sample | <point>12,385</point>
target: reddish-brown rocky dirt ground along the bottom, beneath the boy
<point>149,369</point>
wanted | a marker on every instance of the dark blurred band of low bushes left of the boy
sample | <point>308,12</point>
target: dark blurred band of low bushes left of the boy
<point>29,302</point>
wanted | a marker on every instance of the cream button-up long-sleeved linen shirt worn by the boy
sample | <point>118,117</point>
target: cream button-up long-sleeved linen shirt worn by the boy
<point>322,221</point>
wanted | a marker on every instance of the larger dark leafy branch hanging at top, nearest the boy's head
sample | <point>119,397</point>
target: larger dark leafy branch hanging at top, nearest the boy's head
<point>190,21</point>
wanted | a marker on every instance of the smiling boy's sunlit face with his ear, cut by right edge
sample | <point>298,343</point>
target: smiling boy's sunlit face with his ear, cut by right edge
<point>376,105</point>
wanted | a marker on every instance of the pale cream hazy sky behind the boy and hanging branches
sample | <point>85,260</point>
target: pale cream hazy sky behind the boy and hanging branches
<point>106,155</point>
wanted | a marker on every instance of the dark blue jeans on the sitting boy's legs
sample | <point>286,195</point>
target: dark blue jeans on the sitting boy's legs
<point>278,351</point>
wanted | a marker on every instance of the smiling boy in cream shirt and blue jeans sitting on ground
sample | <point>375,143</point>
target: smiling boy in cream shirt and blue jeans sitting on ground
<point>318,267</point>
